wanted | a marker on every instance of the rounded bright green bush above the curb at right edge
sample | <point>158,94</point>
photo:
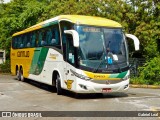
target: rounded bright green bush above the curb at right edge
<point>150,72</point>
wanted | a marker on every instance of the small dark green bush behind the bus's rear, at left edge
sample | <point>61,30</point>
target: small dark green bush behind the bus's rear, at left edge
<point>5,67</point>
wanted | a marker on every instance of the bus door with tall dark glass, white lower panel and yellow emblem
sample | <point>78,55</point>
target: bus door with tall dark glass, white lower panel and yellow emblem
<point>68,54</point>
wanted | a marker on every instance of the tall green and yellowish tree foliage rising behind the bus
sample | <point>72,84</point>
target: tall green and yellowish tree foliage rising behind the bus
<point>137,17</point>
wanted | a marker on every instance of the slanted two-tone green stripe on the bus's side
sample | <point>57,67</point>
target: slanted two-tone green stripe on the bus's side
<point>38,60</point>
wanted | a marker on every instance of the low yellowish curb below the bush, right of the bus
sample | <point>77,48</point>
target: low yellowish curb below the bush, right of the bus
<point>145,86</point>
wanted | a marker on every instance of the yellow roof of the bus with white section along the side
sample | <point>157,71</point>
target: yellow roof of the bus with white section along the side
<point>77,19</point>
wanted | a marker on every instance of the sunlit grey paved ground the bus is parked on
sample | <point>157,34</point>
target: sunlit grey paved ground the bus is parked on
<point>32,96</point>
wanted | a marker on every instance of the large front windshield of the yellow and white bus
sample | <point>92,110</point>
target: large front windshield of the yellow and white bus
<point>102,48</point>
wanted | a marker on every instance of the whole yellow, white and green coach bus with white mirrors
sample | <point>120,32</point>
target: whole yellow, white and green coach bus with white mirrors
<point>82,54</point>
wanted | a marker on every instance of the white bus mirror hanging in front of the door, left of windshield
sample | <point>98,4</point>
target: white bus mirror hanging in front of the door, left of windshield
<point>75,37</point>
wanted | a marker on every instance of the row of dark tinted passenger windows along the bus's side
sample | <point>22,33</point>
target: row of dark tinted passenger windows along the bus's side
<point>48,36</point>
